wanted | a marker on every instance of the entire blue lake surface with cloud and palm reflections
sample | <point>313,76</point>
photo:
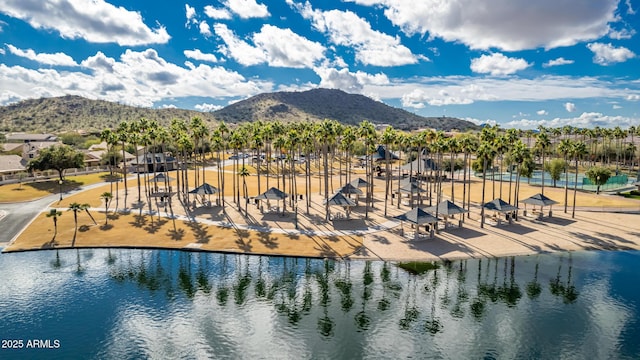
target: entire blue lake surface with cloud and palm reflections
<point>127,304</point>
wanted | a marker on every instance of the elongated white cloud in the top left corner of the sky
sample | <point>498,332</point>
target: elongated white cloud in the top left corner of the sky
<point>95,21</point>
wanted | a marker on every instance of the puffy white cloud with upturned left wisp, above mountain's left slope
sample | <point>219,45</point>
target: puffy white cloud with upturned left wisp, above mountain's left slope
<point>272,45</point>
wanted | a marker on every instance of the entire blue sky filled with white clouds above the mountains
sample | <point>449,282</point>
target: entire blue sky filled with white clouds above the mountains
<point>517,63</point>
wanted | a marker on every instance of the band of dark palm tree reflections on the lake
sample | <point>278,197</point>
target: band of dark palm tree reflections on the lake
<point>422,297</point>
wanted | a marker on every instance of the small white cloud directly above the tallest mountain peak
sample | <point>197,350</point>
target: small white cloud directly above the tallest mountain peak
<point>354,82</point>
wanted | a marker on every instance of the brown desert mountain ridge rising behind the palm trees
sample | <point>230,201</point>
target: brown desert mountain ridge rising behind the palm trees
<point>74,113</point>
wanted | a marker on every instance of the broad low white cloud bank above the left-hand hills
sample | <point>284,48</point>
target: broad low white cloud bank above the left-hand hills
<point>138,78</point>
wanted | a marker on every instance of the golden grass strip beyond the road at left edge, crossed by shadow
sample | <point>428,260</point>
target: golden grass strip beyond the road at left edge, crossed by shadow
<point>38,189</point>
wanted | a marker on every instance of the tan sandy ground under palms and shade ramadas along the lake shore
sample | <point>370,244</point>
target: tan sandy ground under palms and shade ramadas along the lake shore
<point>228,228</point>
